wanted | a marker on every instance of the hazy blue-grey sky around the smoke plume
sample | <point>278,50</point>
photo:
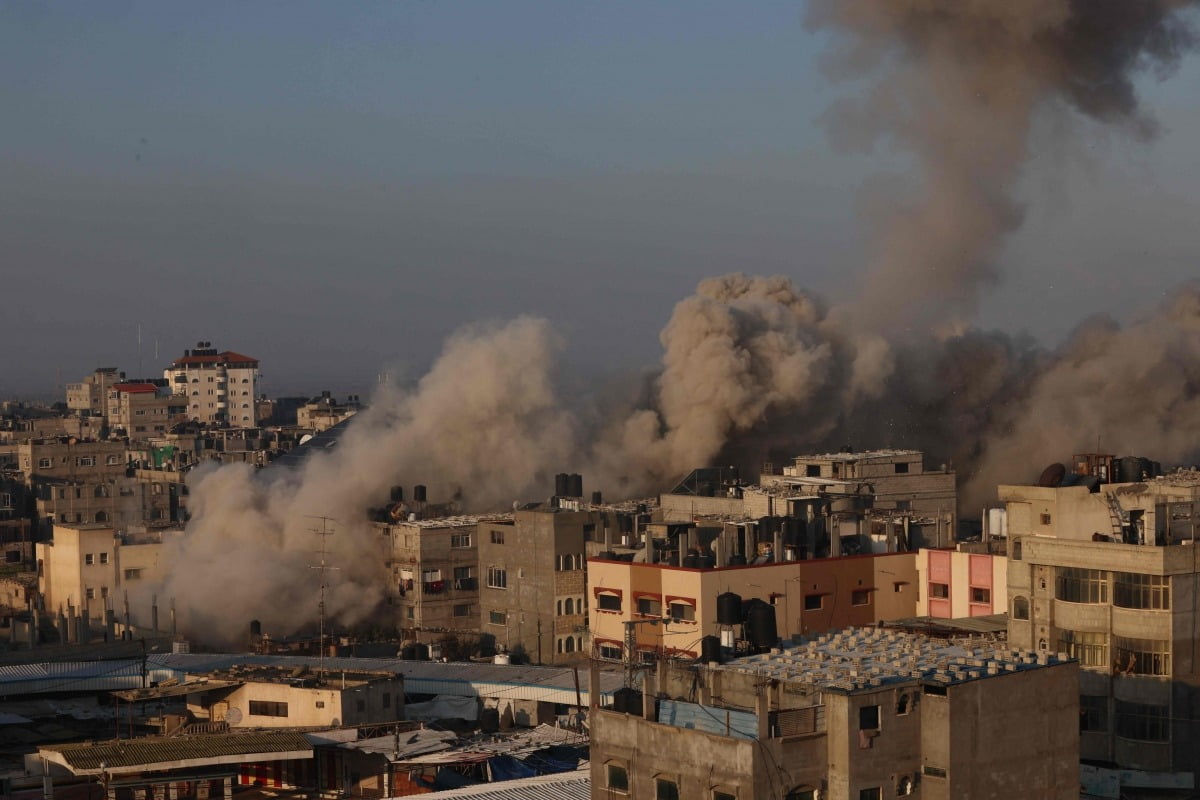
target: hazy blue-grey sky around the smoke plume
<point>335,188</point>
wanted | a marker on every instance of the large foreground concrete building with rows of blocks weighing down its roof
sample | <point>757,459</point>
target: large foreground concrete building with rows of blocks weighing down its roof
<point>863,714</point>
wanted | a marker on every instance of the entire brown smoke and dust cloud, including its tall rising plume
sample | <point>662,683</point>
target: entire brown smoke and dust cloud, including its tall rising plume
<point>755,368</point>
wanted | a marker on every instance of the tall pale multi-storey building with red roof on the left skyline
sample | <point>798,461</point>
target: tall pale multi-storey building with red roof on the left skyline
<point>218,387</point>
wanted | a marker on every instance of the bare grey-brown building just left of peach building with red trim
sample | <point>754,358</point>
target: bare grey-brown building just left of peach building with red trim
<point>535,593</point>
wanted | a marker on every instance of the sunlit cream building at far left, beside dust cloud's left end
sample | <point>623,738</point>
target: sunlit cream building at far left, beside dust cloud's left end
<point>91,567</point>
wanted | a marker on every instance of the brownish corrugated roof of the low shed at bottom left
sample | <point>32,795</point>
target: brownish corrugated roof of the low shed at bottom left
<point>134,755</point>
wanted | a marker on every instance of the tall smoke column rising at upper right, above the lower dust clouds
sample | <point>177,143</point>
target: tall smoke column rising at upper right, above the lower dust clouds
<point>957,85</point>
